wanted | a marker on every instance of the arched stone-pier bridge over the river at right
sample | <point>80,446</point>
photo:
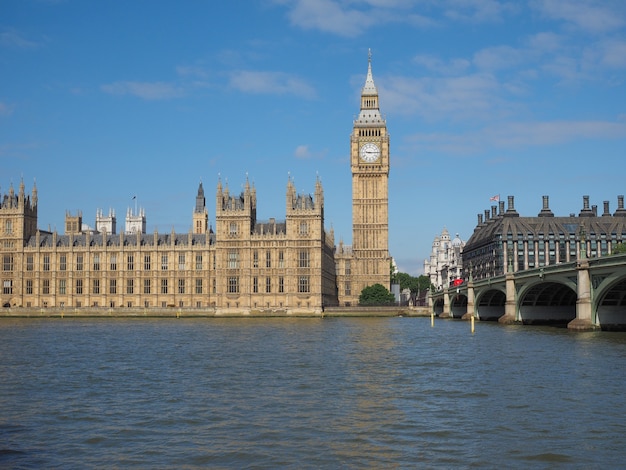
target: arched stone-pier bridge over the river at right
<point>586,294</point>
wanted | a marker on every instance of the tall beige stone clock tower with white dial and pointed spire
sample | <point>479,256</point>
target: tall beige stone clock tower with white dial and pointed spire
<point>369,161</point>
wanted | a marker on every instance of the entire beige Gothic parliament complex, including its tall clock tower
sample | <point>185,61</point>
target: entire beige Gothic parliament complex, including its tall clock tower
<point>243,266</point>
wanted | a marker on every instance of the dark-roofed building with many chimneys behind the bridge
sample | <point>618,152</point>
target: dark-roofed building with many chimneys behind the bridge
<point>503,240</point>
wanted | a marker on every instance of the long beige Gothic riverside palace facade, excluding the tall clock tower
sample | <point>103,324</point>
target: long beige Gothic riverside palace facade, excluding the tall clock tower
<point>245,266</point>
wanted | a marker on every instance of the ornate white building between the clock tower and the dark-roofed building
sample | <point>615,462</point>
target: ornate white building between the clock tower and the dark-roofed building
<point>445,263</point>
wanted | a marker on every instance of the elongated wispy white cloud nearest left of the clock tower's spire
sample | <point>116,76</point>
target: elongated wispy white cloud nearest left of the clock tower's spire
<point>278,83</point>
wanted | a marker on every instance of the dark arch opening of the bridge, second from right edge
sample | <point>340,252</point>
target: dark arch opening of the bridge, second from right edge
<point>547,303</point>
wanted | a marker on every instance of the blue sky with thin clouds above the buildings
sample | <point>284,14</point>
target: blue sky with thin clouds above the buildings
<point>104,100</point>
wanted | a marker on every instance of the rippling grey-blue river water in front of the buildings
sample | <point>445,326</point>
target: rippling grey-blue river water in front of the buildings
<point>308,393</point>
